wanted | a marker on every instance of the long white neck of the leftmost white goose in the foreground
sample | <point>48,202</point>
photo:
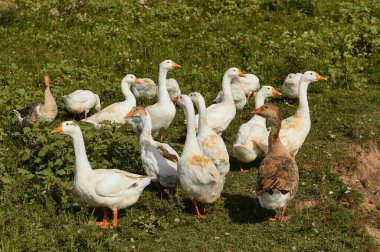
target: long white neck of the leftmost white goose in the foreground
<point>81,162</point>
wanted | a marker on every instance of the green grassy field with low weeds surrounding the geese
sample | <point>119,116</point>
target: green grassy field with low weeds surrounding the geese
<point>93,44</point>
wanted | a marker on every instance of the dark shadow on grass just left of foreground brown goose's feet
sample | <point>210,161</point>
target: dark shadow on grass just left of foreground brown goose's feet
<point>243,209</point>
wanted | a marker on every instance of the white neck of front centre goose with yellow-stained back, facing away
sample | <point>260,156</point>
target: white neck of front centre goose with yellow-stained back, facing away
<point>191,144</point>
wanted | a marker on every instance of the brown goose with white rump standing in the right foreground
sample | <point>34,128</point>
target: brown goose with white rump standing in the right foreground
<point>277,179</point>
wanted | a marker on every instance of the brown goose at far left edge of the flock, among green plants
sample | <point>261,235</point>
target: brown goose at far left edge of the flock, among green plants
<point>41,112</point>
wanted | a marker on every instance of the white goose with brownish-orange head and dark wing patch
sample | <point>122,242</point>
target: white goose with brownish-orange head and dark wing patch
<point>159,159</point>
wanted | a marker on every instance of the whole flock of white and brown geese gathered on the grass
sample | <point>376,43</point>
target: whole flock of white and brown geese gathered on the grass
<point>202,168</point>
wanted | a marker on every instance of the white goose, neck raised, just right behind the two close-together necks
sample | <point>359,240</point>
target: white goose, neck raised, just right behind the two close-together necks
<point>220,115</point>
